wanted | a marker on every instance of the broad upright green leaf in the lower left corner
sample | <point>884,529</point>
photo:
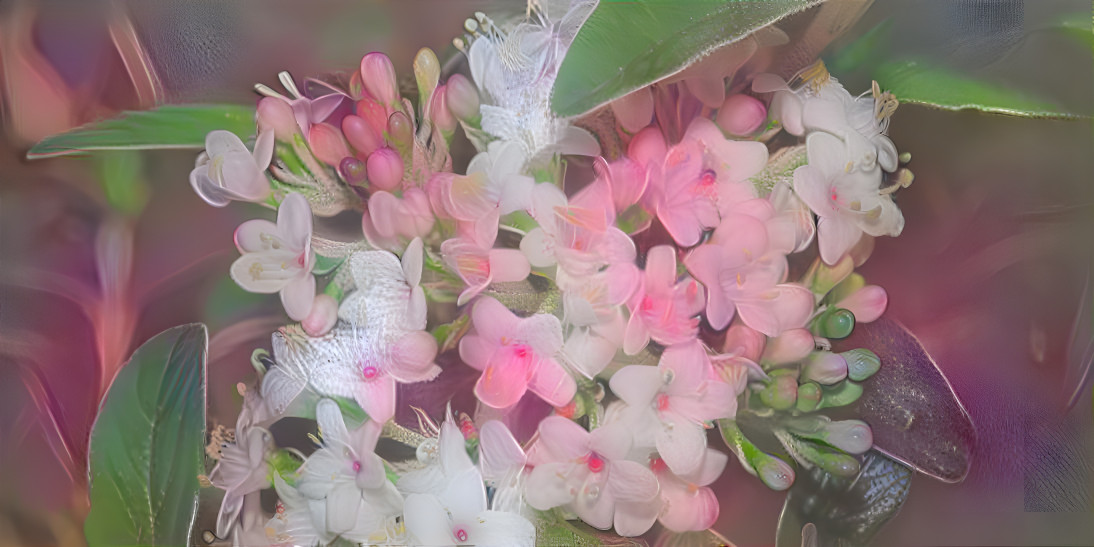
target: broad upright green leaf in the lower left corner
<point>148,445</point>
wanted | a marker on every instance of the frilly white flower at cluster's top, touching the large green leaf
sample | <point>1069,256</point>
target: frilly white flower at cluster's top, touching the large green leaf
<point>516,73</point>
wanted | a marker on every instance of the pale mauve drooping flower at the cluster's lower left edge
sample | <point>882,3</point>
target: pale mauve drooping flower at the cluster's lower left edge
<point>242,470</point>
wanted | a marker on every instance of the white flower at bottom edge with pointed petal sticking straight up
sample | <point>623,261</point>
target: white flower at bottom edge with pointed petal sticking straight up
<point>447,503</point>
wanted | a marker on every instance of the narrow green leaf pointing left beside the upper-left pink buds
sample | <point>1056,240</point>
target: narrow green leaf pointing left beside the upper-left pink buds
<point>167,127</point>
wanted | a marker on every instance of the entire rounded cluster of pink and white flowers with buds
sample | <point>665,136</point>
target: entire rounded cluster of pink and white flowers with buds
<point>638,305</point>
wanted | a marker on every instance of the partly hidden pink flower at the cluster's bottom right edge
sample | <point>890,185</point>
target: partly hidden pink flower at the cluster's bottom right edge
<point>690,504</point>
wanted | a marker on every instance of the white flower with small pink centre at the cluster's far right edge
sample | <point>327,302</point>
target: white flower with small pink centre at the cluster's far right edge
<point>848,204</point>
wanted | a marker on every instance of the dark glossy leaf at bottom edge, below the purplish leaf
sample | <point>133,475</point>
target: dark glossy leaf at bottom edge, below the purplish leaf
<point>847,511</point>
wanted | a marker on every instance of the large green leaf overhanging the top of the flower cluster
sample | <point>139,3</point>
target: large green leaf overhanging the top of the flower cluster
<point>626,45</point>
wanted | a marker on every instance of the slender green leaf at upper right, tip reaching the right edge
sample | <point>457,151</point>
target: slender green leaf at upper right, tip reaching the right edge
<point>918,83</point>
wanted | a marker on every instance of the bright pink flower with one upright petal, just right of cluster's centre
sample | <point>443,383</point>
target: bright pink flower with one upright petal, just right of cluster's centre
<point>662,309</point>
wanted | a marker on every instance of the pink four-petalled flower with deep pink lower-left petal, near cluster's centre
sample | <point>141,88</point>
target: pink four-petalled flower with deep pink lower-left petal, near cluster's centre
<point>516,355</point>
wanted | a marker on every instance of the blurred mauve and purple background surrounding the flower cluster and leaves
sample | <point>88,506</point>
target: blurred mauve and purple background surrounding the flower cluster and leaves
<point>99,254</point>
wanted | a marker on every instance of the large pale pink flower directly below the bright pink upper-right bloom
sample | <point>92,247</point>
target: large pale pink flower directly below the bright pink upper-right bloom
<point>743,274</point>
